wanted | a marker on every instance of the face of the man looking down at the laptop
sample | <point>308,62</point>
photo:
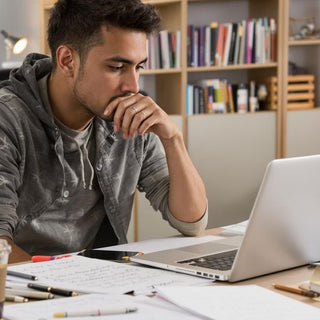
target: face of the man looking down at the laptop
<point>111,69</point>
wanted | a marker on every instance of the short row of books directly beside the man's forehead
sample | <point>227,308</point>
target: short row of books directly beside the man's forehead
<point>164,50</point>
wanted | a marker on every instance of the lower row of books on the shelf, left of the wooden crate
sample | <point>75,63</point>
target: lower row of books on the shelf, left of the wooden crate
<point>220,96</point>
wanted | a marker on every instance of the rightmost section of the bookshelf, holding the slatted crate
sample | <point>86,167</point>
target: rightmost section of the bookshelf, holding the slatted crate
<point>301,127</point>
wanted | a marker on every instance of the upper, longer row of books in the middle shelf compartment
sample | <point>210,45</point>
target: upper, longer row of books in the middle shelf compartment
<point>221,44</point>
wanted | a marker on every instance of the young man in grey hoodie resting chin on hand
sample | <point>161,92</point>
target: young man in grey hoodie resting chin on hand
<point>77,138</point>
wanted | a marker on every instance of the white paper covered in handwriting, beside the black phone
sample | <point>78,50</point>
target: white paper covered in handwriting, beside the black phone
<point>83,274</point>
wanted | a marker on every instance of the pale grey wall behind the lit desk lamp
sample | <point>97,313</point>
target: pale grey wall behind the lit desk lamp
<point>20,18</point>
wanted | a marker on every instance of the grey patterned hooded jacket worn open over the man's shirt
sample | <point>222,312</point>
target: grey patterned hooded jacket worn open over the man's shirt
<point>32,174</point>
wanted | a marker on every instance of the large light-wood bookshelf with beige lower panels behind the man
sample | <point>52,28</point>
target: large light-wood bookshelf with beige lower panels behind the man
<point>230,151</point>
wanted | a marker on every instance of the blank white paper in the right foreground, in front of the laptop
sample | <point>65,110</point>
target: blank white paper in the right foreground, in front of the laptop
<point>232,302</point>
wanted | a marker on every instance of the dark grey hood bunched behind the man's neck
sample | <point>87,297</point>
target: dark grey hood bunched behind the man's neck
<point>24,83</point>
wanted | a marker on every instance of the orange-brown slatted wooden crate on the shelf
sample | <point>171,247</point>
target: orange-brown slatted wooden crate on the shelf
<point>300,92</point>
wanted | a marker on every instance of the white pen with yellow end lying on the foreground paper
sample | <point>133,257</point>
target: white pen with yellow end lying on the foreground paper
<point>94,312</point>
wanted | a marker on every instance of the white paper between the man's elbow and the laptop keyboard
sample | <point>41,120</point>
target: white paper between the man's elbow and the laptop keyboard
<point>153,245</point>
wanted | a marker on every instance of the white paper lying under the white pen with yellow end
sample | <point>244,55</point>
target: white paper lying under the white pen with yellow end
<point>148,308</point>
